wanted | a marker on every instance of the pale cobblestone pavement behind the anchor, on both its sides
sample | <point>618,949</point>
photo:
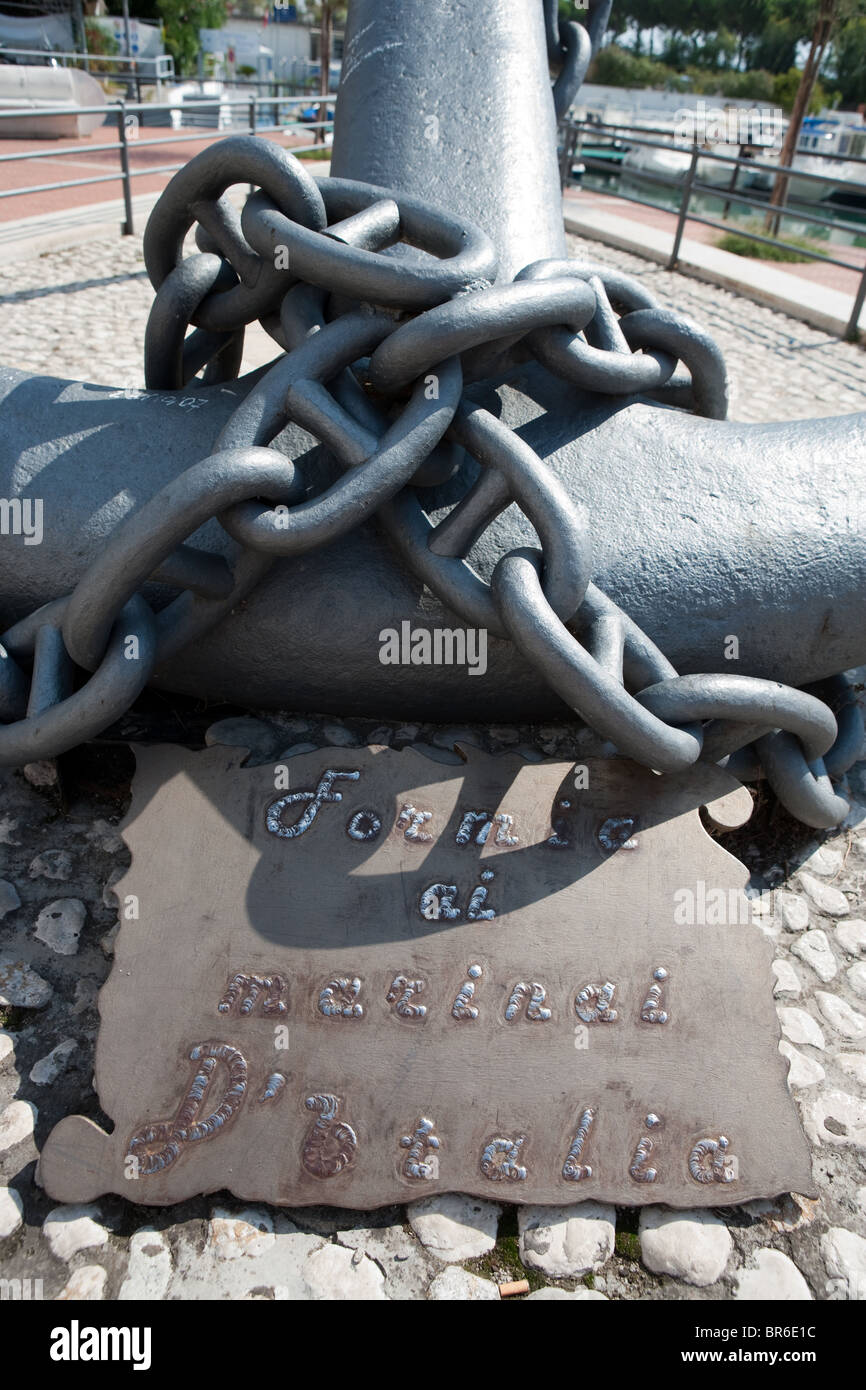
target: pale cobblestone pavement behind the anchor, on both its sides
<point>81,313</point>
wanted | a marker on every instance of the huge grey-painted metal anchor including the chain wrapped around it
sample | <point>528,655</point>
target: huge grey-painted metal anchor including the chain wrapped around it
<point>437,361</point>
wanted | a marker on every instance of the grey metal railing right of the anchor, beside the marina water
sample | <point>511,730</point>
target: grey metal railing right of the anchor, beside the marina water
<point>575,133</point>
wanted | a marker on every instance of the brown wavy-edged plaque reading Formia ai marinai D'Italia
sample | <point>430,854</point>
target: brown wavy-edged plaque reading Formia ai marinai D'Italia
<point>362,978</point>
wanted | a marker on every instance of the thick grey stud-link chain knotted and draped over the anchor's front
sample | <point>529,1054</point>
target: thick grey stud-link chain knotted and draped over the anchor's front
<point>362,337</point>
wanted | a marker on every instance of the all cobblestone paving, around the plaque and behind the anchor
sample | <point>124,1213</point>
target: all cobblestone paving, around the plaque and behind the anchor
<point>81,313</point>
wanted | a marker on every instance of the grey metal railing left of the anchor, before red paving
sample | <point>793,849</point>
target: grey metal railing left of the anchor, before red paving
<point>126,116</point>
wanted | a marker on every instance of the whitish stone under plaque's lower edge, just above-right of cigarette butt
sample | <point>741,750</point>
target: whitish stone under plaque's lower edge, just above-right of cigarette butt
<point>566,1242</point>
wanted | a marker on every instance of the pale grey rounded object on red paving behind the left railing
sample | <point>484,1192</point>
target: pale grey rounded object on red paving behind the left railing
<point>42,88</point>
